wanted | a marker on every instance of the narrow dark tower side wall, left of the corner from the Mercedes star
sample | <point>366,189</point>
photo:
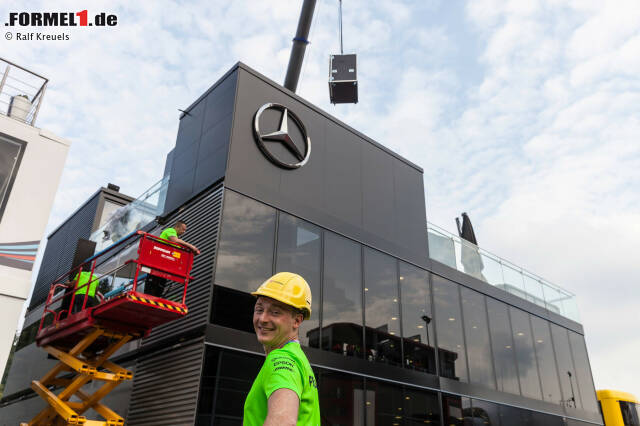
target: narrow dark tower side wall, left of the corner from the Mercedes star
<point>200,156</point>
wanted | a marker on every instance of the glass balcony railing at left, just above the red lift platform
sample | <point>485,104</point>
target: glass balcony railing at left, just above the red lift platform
<point>133,216</point>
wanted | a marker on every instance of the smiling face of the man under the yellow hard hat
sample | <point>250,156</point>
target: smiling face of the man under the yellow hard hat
<point>274,322</point>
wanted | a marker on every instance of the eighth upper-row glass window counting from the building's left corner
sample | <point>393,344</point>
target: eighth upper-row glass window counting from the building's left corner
<point>502,344</point>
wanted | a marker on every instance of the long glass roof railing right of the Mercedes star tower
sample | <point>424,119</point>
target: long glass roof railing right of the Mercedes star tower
<point>466,257</point>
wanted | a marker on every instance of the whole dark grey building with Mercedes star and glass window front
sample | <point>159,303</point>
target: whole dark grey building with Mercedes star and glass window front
<point>395,338</point>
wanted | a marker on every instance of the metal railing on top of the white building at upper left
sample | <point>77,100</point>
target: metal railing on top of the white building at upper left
<point>21,92</point>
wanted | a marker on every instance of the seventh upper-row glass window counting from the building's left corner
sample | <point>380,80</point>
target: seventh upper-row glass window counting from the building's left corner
<point>476,331</point>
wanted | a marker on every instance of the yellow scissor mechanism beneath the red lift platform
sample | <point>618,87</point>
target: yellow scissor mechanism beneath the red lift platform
<point>85,366</point>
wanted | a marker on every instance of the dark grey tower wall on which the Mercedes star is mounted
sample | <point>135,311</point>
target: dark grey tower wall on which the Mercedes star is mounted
<point>350,184</point>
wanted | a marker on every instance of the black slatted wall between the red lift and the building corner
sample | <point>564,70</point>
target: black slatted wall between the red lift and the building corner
<point>203,219</point>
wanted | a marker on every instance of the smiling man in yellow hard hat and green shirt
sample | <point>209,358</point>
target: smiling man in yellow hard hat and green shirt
<point>285,391</point>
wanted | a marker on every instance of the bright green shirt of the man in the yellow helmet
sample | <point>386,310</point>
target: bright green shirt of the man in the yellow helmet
<point>284,368</point>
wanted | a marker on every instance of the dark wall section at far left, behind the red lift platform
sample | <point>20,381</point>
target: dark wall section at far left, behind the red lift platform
<point>61,246</point>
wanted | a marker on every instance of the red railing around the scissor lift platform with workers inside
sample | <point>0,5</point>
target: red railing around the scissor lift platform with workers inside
<point>121,268</point>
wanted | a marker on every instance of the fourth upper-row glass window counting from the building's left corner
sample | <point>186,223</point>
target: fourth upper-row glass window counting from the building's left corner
<point>382,316</point>
